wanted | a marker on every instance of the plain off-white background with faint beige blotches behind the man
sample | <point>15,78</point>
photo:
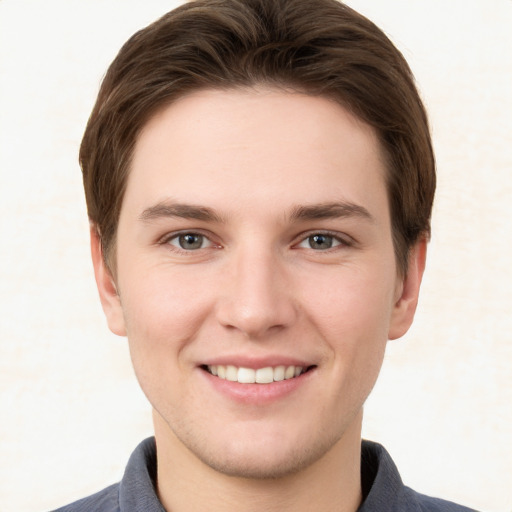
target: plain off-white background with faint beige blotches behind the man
<point>70,409</point>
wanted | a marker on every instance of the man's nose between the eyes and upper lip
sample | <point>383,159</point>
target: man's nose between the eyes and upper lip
<point>257,298</point>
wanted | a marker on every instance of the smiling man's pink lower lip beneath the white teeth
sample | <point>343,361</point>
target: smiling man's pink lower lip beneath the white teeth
<point>257,393</point>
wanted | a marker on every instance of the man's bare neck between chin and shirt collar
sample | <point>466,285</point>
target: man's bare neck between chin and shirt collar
<point>332,483</point>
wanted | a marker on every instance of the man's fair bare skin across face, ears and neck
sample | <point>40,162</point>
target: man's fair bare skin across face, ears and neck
<point>260,172</point>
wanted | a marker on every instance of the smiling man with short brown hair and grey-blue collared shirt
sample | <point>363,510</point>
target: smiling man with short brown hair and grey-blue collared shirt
<point>259,179</point>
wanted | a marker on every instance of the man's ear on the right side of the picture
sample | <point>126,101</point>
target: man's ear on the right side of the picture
<point>408,291</point>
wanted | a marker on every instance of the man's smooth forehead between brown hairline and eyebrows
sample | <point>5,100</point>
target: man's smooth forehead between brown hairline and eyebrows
<point>222,148</point>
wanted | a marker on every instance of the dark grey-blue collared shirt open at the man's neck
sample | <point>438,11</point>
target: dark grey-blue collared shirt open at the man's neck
<point>383,489</point>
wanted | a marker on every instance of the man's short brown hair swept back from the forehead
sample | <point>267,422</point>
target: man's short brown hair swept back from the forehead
<point>319,47</point>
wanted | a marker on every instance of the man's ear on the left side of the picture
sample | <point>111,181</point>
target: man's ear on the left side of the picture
<point>109,296</point>
